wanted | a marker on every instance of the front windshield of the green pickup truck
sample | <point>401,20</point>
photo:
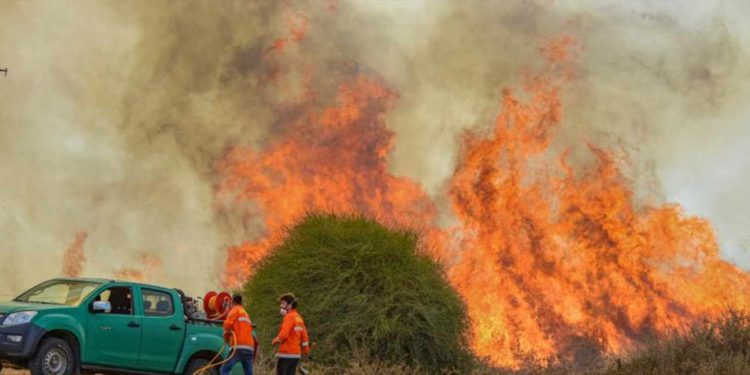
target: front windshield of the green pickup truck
<point>59,292</point>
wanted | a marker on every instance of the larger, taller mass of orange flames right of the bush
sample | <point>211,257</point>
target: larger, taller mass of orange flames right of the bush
<point>551,261</point>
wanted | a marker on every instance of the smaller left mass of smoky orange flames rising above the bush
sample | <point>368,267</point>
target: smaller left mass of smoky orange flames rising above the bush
<point>332,161</point>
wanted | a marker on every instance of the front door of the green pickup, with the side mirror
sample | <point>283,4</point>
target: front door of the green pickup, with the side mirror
<point>114,337</point>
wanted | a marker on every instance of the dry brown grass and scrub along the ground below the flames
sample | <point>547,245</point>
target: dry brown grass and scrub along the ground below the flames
<point>720,347</point>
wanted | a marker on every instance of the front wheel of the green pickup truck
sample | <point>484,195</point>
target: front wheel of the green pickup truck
<point>54,357</point>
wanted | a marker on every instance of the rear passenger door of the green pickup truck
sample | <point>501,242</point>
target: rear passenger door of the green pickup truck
<point>163,331</point>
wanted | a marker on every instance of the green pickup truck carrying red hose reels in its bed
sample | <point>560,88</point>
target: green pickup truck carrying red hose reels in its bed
<point>74,325</point>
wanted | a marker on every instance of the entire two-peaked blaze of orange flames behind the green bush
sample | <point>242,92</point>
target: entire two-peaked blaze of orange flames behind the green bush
<point>551,262</point>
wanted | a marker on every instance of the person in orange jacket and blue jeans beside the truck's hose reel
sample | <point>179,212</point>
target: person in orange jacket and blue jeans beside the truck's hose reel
<point>238,332</point>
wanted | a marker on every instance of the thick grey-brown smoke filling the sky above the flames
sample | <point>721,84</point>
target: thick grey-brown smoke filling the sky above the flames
<point>113,114</point>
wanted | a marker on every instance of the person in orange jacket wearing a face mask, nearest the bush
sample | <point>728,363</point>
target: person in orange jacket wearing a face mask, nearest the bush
<point>292,338</point>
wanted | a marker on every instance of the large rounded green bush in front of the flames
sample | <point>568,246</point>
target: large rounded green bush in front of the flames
<point>364,292</point>
